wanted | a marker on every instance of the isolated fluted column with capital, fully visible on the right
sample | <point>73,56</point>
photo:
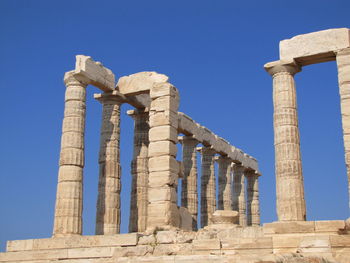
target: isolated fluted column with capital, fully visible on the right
<point>289,178</point>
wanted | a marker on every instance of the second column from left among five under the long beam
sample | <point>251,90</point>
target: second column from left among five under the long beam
<point>208,196</point>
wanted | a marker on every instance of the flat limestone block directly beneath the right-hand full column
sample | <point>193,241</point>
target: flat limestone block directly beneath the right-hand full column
<point>289,227</point>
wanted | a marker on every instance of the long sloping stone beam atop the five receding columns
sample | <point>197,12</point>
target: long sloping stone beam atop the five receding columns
<point>189,127</point>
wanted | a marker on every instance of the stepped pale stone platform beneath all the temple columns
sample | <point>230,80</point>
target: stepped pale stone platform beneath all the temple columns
<point>215,243</point>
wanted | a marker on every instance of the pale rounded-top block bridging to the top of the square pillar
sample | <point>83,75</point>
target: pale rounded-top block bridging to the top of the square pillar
<point>139,82</point>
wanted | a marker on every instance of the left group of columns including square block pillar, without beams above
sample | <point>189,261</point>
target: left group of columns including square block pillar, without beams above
<point>154,169</point>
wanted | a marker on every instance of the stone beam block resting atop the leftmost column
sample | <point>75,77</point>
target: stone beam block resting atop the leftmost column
<point>94,73</point>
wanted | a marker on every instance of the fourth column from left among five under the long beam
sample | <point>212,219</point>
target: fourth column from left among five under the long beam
<point>238,197</point>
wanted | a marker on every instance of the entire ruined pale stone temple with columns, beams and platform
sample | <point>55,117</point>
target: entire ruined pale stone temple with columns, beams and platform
<point>159,229</point>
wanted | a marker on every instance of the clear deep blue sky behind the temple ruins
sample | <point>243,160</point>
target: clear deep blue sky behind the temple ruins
<point>213,51</point>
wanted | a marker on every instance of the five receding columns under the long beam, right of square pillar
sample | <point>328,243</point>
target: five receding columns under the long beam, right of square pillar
<point>239,197</point>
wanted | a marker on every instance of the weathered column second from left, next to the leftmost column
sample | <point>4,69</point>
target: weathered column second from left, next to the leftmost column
<point>108,200</point>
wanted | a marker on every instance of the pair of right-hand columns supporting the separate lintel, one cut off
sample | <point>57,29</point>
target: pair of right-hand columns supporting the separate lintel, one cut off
<point>288,167</point>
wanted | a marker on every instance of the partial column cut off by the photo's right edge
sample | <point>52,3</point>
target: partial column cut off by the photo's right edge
<point>343,62</point>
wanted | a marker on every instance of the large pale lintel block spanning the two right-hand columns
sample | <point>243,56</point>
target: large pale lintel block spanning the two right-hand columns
<point>315,47</point>
